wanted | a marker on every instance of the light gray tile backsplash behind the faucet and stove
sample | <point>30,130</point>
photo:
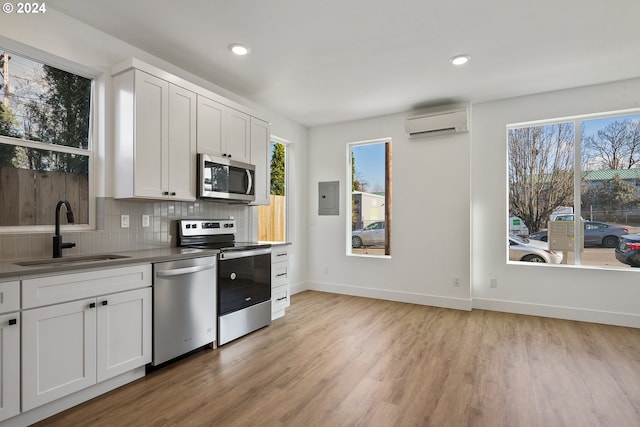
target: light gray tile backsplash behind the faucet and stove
<point>110,237</point>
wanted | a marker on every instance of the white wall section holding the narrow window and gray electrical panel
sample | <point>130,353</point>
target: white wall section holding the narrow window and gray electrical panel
<point>430,235</point>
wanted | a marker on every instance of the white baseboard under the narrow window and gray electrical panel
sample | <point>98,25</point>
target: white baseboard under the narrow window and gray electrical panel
<point>385,294</point>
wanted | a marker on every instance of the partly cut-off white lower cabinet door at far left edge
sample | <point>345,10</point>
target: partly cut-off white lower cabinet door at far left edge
<point>9,365</point>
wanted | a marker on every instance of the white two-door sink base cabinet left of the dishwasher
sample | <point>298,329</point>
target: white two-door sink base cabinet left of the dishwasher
<point>82,328</point>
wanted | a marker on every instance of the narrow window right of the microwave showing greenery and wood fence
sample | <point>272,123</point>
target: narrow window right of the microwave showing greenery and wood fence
<point>272,218</point>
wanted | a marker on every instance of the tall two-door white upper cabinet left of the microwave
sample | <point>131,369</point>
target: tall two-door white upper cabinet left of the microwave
<point>155,131</point>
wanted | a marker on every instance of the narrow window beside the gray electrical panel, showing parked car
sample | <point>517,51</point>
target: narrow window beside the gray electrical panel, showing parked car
<point>369,227</point>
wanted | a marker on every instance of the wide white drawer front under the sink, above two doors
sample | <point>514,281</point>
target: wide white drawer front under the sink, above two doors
<point>47,290</point>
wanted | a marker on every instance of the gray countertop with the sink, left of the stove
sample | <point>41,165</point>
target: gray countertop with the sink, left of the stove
<point>11,270</point>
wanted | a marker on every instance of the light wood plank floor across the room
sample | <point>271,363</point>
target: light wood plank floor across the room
<point>336,360</point>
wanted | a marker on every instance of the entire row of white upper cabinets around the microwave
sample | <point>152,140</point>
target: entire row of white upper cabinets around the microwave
<point>163,121</point>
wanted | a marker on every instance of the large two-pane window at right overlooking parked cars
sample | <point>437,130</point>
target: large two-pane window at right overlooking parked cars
<point>574,185</point>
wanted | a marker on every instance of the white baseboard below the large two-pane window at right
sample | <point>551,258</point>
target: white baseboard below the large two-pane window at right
<point>558,312</point>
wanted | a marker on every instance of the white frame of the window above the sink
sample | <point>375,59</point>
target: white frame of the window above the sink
<point>96,108</point>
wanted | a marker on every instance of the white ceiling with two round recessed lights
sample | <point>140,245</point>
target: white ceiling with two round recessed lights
<point>325,61</point>
